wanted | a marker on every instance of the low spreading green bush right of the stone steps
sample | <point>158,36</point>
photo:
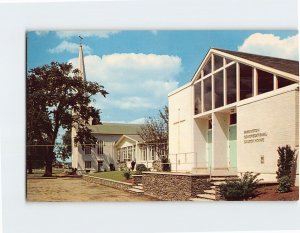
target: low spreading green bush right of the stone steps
<point>240,188</point>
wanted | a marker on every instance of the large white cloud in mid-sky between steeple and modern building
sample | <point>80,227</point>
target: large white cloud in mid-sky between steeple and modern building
<point>134,81</point>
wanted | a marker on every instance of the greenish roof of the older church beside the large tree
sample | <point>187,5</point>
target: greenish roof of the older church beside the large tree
<point>116,128</point>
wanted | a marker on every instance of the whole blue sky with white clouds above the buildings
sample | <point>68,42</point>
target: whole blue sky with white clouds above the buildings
<point>140,68</point>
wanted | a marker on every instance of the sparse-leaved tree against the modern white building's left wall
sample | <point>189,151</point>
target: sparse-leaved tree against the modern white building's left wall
<point>155,132</point>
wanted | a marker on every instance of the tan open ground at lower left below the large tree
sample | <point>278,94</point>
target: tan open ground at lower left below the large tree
<point>76,189</point>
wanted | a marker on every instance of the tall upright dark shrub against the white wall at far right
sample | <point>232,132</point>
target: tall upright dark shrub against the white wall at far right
<point>285,161</point>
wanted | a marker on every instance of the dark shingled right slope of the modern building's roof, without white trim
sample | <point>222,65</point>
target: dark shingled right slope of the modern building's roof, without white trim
<point>285,65</point>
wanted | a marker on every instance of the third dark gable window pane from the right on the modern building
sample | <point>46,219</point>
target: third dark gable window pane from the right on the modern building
<point>245,81</point>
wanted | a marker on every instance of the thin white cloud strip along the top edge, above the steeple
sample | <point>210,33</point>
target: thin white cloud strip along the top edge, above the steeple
<point>100,34</point>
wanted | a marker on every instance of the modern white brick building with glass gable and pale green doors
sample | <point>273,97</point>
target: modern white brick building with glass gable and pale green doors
<point>234,114</point>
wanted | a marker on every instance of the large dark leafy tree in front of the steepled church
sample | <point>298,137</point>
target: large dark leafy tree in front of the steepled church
<point>57,97</point>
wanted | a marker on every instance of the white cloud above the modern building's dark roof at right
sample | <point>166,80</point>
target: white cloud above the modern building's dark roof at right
<point>271,45</point>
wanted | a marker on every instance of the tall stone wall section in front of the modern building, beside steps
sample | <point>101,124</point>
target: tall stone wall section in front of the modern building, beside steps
<point>174,186</point>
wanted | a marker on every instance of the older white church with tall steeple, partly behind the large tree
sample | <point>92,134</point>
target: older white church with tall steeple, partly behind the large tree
<point>116,143</point>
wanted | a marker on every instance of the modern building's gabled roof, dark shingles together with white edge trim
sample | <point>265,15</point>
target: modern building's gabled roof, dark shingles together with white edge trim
<point>279,66</point>
